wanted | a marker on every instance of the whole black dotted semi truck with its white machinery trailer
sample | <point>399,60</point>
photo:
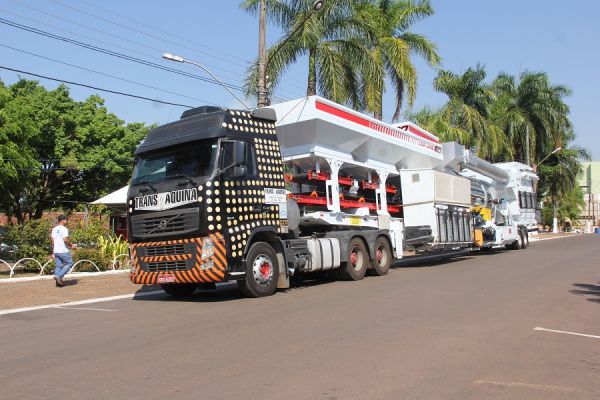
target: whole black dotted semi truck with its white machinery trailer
<point>300,187</point>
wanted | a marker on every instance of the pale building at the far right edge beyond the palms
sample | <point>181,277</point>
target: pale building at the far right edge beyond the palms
<point>589,181</point>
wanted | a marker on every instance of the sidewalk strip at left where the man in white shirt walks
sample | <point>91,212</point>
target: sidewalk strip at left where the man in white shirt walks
<point>41,292</point>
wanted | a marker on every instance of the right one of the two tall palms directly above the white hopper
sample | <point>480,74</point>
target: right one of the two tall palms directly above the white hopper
<point>386,24</point>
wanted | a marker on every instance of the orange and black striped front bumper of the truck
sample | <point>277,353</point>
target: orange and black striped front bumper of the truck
<point>183,251</point>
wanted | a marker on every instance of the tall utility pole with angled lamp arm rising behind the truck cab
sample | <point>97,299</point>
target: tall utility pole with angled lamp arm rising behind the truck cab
<point>263,62</point>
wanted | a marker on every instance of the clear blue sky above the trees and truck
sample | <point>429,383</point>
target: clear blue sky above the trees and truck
<point>510,36</point>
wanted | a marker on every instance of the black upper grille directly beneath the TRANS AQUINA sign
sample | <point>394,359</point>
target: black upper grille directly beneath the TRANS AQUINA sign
<point>165,223</point>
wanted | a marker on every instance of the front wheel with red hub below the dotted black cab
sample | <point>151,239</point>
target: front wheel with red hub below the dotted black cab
<point>262,271</point>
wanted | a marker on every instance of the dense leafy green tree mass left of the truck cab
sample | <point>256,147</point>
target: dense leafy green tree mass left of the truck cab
<point>55,151</point>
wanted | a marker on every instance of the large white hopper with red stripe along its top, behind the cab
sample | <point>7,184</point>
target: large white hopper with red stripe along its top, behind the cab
<point>311,124</point>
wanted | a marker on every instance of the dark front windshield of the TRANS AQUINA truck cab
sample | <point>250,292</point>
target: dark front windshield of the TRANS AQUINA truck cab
<point>189,160</point>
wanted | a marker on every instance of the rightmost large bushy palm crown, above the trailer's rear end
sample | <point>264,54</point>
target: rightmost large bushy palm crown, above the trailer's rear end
<point>532,113</point>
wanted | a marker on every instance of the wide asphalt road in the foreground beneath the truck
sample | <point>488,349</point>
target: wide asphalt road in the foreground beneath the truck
<point>457,330</point>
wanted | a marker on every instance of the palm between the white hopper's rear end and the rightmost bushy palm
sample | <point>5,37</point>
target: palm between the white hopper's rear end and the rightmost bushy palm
<point>468,111</point>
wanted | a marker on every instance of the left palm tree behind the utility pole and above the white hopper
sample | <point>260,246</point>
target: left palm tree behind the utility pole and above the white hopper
<point>330,40</point>
